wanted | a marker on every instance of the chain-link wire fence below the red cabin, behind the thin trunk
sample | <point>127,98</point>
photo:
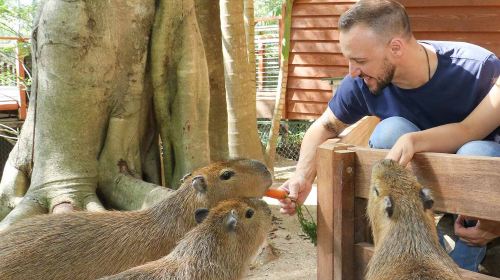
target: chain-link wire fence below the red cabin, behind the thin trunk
<point>290,137</point>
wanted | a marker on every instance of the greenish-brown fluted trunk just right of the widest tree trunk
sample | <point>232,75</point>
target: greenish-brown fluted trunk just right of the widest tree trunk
<point>181,88</point>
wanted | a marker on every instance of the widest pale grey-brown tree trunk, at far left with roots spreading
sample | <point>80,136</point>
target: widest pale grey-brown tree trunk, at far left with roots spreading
<point>88,92</point>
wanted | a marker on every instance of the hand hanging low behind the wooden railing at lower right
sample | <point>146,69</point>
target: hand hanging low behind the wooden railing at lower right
<point>478,235</point>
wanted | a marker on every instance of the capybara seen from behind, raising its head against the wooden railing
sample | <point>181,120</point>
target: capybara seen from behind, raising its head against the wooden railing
<point>404,232</point>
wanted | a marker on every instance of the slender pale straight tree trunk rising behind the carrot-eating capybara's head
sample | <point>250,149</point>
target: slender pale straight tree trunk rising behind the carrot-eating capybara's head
<point>242,126</point>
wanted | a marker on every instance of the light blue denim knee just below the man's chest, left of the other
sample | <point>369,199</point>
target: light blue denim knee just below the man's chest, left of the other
<point>388,131</point>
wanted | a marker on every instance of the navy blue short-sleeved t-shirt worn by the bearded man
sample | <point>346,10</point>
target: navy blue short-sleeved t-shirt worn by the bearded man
<point>465,73</point>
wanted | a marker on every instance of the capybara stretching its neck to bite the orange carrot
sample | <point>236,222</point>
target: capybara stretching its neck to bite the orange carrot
<point>91,245</point>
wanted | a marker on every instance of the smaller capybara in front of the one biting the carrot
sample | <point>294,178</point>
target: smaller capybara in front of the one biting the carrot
<point>220,248</point>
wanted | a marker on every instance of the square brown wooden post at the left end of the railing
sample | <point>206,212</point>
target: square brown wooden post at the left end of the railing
<point>335,211</point>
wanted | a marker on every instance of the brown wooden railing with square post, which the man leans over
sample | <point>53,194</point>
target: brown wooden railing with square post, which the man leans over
<point>461,184</point>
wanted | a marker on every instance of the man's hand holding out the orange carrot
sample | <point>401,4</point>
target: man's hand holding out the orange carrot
<point>298,188</point>
